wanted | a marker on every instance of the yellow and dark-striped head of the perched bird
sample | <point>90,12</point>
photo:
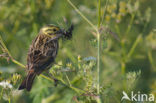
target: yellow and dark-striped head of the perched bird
<point>52,31</point>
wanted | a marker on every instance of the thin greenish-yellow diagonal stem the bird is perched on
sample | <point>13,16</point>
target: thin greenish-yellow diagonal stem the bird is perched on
<point>43,76</point>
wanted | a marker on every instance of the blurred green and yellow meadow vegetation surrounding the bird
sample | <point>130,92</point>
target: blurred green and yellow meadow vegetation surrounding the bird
<point>126,64</point>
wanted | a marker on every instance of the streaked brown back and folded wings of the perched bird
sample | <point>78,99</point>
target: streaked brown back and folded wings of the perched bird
<point>41,55</point>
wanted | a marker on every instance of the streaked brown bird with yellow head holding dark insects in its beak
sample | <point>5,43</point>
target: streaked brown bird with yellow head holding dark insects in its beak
<point>42,52</point>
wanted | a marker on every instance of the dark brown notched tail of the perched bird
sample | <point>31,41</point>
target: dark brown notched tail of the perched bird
<point>28,81</point>
